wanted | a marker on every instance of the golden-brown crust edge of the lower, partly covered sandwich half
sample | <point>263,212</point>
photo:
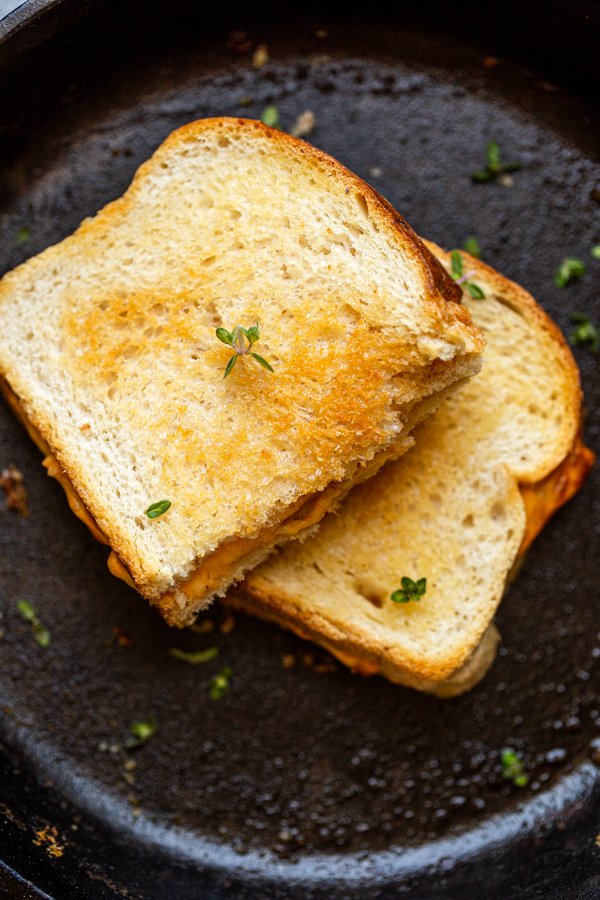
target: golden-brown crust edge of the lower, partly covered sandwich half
<point>543,490</point>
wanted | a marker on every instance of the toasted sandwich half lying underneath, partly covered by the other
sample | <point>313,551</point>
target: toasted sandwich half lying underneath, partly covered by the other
<point>487,470</point>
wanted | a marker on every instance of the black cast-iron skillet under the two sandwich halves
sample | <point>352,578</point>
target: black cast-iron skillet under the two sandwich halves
<point>304,781</point>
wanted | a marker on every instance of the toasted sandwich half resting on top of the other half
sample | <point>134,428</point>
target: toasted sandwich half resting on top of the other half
<point>108,348</point>
